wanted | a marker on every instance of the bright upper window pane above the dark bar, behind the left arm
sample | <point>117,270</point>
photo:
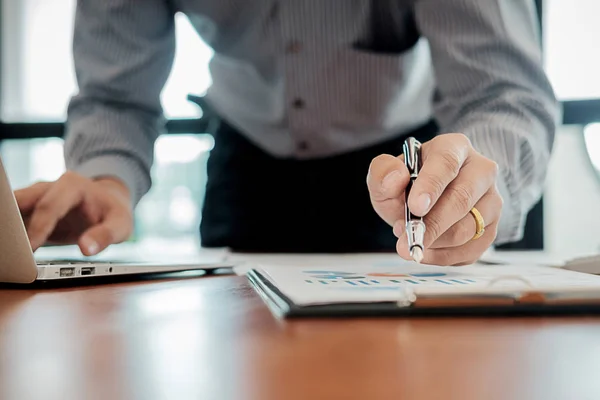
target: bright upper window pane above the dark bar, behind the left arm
<point>37,72</point>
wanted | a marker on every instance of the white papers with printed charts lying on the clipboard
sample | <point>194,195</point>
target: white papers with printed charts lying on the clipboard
<point>377,282</point>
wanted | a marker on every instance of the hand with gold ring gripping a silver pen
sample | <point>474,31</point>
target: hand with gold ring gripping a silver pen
<point>453,191</point>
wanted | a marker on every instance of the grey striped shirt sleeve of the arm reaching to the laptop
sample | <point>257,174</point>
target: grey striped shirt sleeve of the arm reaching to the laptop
<point>123,52</point>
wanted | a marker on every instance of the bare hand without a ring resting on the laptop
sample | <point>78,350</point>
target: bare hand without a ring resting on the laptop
<point>76,210</point>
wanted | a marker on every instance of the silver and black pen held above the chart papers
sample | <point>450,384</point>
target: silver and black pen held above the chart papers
<point>415,227</point>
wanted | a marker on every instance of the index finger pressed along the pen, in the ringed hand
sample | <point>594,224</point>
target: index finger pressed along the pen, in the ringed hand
<point>442,162</point>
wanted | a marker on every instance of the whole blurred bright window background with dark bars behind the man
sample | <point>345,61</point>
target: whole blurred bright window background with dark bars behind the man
<point>37,80</point>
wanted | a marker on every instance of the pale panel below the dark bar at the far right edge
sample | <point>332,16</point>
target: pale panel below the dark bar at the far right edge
<point>572,197</point>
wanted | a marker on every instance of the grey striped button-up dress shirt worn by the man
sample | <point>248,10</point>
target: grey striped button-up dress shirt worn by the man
<point>315,78</point>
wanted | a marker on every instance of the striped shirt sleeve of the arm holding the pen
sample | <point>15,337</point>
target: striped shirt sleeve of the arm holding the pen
<point>492,87</point>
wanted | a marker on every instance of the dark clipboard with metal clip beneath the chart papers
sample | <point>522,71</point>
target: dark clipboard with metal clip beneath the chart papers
<point>494,300</point>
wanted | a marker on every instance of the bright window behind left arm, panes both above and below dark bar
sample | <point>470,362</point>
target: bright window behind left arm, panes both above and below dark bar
<point>38,80</point>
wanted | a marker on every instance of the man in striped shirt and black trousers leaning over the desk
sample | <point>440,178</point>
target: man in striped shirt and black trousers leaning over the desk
<point>313,96</point>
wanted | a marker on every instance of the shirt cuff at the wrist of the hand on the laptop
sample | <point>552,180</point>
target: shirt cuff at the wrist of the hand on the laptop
<point>128,171</point>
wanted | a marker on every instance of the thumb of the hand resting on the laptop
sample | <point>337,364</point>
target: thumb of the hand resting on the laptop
<point>114,228</point>
